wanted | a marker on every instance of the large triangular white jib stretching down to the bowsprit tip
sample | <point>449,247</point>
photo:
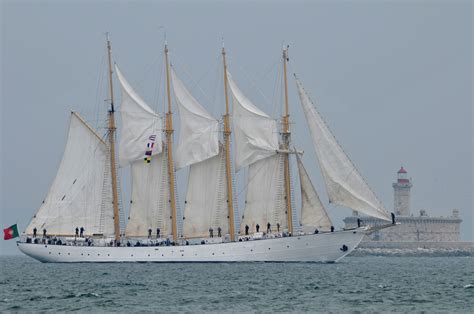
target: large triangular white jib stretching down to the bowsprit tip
<point>344,185</point>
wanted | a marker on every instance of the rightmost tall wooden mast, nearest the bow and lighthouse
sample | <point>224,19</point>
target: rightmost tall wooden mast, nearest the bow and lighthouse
<point>286,146</point>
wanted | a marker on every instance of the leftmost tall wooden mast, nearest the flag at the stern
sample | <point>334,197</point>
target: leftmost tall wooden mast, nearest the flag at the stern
<point>112,130</point>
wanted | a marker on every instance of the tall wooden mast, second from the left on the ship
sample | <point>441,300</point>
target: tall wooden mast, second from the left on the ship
<point>169,147</point>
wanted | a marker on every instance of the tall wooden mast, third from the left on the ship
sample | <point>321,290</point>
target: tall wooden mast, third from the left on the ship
<point>227,132</point>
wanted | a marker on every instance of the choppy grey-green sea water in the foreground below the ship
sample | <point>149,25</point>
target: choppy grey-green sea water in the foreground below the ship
<point>356,284</point>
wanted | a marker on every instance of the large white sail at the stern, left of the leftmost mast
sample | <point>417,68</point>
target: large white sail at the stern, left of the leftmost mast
<point>75,198</point>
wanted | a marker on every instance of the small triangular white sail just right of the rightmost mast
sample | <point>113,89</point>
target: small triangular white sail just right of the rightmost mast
<point>313,213</point>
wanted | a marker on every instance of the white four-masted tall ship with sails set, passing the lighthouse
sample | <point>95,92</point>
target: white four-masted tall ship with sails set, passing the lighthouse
<point>81,219</point>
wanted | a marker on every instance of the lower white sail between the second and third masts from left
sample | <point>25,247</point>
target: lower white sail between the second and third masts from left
<point>206,198</point>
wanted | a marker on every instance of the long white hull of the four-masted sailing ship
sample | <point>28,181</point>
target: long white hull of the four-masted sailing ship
<point>322,247</point>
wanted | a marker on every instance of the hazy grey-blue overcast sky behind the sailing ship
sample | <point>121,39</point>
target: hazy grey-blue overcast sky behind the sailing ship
<point>392,79</point>
